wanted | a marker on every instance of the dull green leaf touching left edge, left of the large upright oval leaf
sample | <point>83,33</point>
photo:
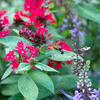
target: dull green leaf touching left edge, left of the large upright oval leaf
<point>10,80</point>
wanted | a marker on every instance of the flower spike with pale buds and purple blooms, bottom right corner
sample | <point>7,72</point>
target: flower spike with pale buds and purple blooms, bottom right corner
<point>84,90</point>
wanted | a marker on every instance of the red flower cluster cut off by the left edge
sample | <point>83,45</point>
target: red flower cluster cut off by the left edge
<point>4,22</point>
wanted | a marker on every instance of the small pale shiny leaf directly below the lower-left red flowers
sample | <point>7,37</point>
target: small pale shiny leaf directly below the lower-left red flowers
<point>22,67</point>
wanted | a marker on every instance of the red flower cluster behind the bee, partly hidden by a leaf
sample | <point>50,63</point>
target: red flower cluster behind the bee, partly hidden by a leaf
<point>57,64</point>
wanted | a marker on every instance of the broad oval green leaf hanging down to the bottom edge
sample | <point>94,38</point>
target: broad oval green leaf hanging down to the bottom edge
<point>28,88</point>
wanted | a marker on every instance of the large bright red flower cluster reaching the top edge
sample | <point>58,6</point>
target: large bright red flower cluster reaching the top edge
<point>38,13</point>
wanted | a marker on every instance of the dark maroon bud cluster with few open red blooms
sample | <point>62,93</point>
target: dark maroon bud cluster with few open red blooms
<point>37,38</point>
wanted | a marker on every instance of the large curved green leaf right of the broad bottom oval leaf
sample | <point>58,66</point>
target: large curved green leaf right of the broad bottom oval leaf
<point>42,79</point>
